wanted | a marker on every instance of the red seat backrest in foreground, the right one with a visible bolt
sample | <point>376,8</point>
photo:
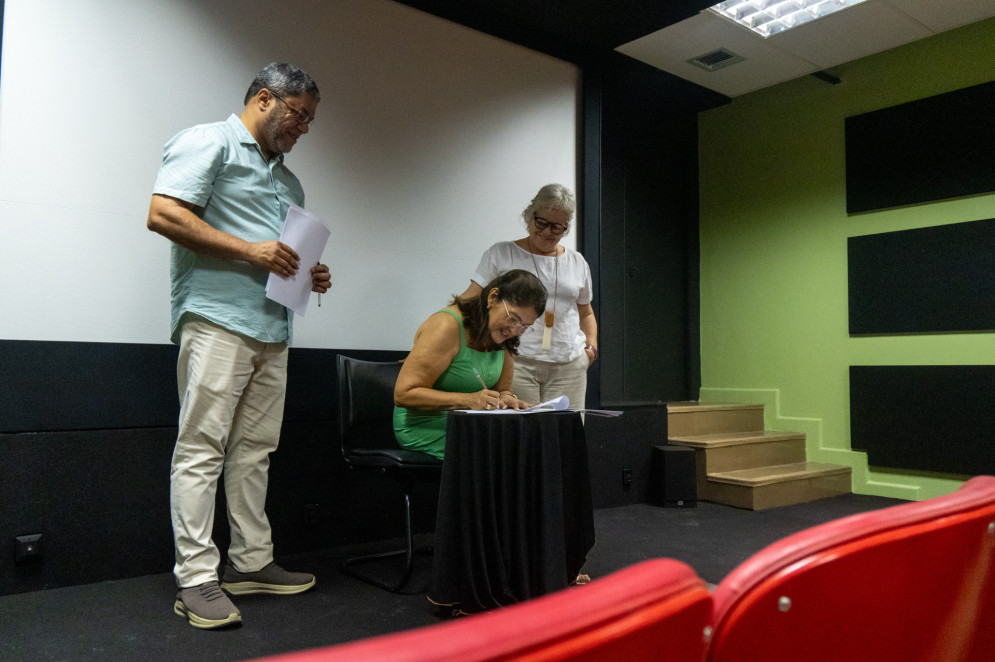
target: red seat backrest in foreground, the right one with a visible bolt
<point>911,582</point>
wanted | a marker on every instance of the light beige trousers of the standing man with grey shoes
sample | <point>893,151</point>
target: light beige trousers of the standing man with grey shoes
<point>232,391</point>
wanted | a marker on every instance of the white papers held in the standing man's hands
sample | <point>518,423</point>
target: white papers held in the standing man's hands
<point>303,232</point>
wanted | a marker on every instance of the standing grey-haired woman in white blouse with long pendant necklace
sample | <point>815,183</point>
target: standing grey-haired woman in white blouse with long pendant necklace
<point>555,354</point>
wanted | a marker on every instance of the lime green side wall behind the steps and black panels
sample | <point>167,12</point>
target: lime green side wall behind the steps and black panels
<point>774,232</point>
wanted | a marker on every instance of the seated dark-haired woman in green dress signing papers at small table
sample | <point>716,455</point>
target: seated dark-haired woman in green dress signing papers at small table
<point>463,358</point>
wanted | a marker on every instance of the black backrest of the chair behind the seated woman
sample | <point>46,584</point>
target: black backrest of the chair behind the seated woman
<point>366,403</point>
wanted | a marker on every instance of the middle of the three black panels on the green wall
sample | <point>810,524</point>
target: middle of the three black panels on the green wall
<point>923,281</point>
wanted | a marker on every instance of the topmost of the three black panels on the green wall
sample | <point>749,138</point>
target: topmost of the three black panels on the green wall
<point>931,149</point>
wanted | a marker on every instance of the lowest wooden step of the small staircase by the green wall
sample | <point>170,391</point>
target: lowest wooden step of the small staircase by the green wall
<point>780,485</point>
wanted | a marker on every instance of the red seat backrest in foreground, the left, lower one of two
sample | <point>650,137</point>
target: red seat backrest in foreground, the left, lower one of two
<point>655,610</point>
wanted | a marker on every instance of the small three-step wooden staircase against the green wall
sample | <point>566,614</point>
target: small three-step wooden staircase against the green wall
<point>741,464</point>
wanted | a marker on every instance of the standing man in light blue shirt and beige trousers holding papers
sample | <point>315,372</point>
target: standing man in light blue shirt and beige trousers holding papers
<point>221,196</point>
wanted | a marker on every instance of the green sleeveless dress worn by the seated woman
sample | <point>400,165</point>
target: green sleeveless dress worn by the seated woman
<point>425,431</point>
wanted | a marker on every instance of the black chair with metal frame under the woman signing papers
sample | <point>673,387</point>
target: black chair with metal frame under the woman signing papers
<point>366,409</point>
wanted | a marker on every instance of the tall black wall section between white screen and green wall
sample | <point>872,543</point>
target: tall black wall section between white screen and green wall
<point>642,172</point>
